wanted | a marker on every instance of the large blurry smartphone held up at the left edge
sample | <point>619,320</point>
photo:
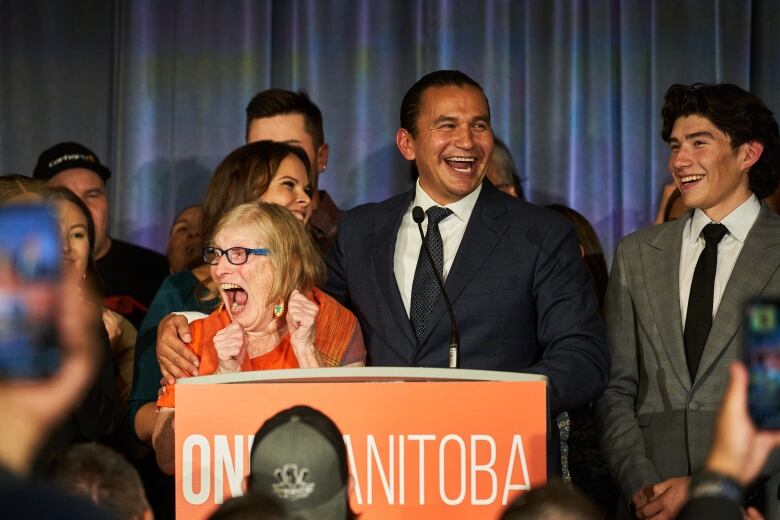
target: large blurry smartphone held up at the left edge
<point>30,260</point>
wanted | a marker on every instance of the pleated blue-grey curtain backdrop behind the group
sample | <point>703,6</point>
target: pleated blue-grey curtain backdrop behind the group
<point>158,88</point>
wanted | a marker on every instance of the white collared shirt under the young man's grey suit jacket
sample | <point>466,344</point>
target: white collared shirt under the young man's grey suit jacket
<point>738,222</point>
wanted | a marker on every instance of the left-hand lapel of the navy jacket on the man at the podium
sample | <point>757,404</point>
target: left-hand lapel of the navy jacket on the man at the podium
<point>382,249</point>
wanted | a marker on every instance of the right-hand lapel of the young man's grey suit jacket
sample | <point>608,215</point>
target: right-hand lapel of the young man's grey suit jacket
<point>757,262</point>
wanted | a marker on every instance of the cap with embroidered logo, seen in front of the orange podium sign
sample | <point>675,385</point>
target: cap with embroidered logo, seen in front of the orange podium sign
<point>299,457</point>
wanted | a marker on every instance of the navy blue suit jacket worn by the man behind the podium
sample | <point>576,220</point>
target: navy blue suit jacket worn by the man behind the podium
<point>523,301</point>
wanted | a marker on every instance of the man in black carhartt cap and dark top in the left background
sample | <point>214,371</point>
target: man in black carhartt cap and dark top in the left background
<point>130,274</point>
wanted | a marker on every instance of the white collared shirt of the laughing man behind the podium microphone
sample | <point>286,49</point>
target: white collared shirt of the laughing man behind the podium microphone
<point>408,241</point>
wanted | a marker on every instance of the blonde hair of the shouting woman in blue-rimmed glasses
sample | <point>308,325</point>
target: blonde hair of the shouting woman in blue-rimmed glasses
<point>296,262</point>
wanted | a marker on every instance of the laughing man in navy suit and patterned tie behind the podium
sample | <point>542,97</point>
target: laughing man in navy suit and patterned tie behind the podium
<point>522,299</point>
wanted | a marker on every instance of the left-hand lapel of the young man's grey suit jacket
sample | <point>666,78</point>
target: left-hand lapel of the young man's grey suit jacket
<point>661,267</point>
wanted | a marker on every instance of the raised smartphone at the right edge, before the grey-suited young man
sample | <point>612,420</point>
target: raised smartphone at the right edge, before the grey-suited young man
<point>762,358</point>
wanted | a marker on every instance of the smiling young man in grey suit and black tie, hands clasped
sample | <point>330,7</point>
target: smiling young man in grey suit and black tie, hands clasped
<point>676,291</point>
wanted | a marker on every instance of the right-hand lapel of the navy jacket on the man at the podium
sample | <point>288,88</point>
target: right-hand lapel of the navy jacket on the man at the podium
<point>483,232</point>
